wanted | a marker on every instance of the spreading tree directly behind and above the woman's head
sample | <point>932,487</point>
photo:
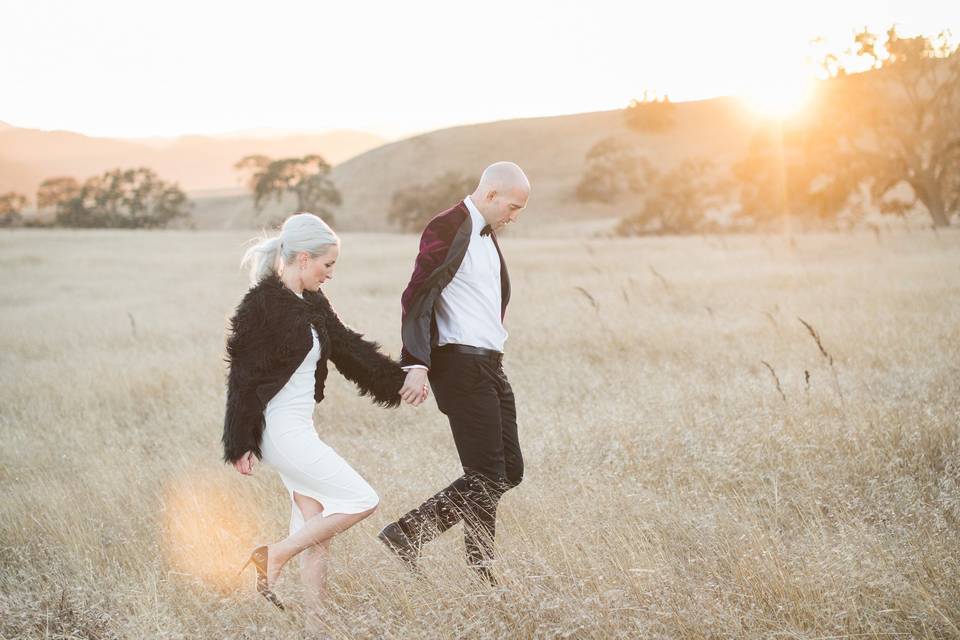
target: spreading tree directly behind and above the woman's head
<point>307,178</point>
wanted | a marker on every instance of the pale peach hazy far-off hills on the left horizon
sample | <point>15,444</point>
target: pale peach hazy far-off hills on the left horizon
<point>28,156</point>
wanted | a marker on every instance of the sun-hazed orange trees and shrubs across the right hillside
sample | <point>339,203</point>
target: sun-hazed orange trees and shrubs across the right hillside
<point>887,140</point>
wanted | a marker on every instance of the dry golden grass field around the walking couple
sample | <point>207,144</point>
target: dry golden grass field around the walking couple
<point>696,466</point>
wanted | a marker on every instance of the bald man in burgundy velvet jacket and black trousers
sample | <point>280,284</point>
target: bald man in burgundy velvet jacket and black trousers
<point>453,333</point>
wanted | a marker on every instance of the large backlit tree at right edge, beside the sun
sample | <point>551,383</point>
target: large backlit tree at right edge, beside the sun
<point>899,124</point>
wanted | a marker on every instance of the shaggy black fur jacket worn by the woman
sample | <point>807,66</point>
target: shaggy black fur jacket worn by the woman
<point>269,338</point>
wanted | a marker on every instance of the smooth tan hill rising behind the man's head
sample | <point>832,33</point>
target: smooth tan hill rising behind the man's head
<point>551,151</point>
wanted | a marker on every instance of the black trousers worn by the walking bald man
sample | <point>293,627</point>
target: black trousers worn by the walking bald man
<point>474,393</point>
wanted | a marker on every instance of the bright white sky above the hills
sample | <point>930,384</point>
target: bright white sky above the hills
<point>141,69</point>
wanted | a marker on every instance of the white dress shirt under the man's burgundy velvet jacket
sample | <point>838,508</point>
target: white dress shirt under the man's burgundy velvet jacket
<point>468,311</point>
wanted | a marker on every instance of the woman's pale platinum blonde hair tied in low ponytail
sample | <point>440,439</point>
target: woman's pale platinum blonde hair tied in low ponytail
<point>300,232</point>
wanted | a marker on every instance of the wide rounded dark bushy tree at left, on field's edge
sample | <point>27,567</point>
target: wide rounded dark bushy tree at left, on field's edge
<point>128,199</point>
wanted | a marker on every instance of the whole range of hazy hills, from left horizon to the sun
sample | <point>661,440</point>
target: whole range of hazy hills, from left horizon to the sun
<point>550,149</point>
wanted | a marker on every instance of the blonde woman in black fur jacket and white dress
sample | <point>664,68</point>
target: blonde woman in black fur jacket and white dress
<point>282,334</point>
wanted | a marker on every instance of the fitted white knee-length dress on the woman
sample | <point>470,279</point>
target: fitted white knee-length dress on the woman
<point>306,464</point>
